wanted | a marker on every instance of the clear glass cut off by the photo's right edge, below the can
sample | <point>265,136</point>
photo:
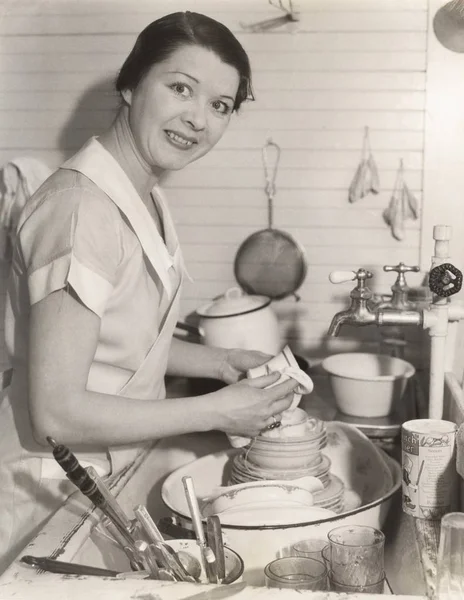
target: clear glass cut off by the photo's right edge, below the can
<point>450,562</point>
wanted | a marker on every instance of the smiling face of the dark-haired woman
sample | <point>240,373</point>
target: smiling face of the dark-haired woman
<point>182,107</point>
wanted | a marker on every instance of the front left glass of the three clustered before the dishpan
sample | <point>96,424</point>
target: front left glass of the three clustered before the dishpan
<point>296,572</point>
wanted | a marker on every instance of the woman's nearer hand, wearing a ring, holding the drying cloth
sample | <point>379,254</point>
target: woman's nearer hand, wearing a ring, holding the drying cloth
<point>246,408</point>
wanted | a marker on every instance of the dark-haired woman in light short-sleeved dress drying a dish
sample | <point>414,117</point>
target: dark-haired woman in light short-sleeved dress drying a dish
<point>96,280</point>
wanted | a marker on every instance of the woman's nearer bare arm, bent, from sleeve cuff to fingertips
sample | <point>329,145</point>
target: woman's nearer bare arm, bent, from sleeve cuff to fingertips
<point>63,341</point>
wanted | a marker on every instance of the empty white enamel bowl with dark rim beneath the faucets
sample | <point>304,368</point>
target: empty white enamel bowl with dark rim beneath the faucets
<point>367,385</point>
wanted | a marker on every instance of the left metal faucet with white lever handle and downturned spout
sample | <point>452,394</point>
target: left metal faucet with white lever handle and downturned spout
<point>362,311</point>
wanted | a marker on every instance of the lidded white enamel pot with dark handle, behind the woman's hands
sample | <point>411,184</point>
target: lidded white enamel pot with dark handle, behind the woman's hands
<point>238,320</point>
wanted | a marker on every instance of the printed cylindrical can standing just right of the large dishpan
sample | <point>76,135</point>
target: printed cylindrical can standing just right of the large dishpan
<point>429,471</point>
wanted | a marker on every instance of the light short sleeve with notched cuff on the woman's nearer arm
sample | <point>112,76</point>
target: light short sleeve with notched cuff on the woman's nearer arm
<point>72,236</point>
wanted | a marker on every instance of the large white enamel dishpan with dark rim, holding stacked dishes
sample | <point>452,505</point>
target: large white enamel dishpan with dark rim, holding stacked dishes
<point>364,467</point>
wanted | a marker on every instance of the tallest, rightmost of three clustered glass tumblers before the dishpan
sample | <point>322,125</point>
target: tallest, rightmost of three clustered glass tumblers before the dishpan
<point>356,555</point>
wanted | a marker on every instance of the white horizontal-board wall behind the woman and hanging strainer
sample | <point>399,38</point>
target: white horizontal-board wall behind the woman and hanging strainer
<point>345,65</point>
